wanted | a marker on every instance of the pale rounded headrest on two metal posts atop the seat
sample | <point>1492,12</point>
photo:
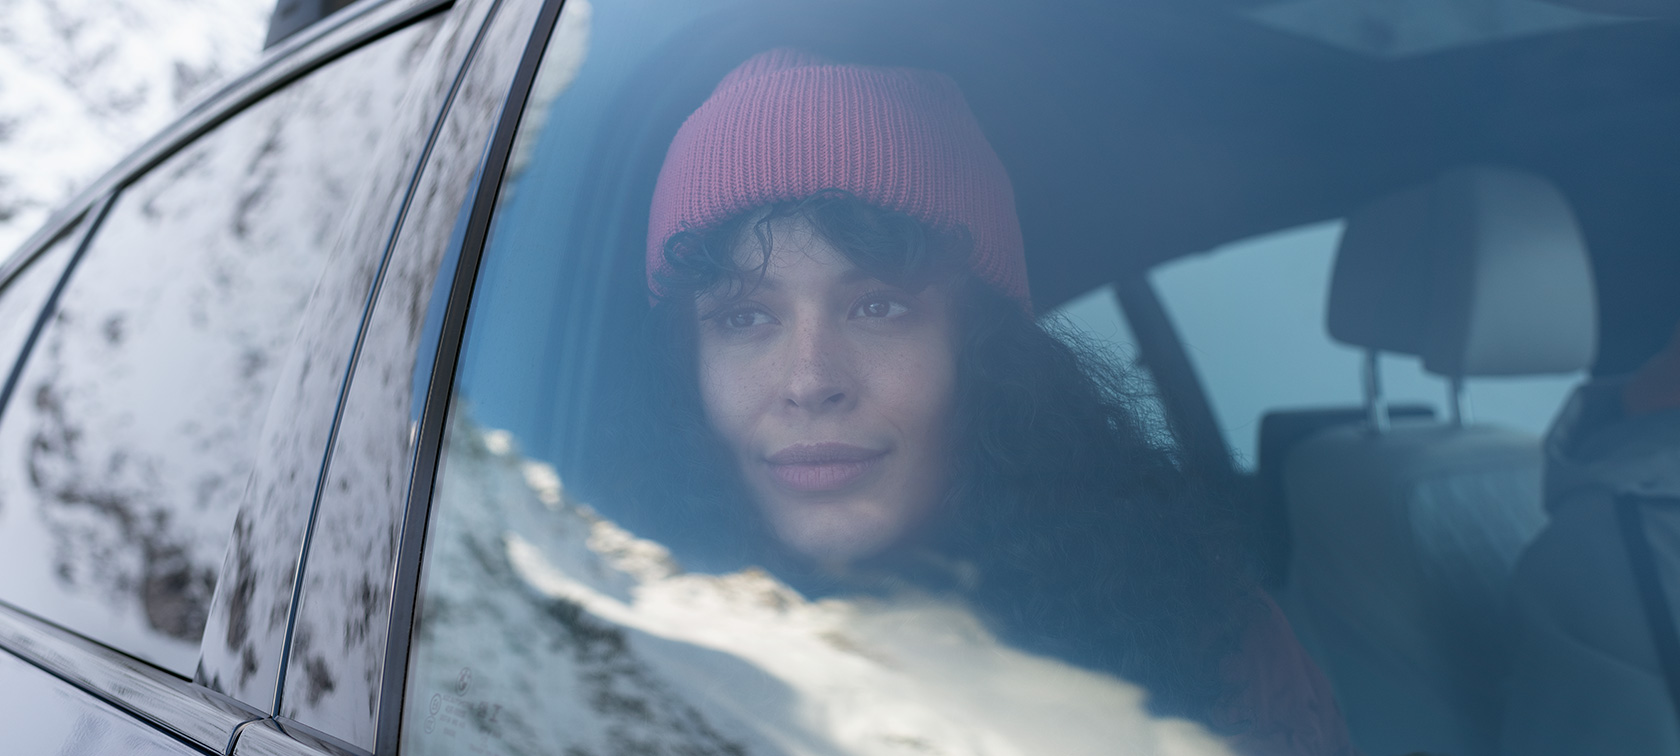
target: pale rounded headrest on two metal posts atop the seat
<point>1481,273</point>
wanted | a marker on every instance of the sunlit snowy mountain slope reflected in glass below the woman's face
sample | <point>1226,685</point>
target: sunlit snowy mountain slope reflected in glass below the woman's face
<point>580,634</point>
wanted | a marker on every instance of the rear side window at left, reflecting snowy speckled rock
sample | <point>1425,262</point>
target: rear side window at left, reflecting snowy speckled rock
<point>129,443</point>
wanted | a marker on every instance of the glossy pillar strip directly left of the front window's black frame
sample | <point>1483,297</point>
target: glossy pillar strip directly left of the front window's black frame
<point>345,597</point>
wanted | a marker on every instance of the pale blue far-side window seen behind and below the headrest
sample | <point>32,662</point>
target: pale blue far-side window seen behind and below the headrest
<point>1252,320</point>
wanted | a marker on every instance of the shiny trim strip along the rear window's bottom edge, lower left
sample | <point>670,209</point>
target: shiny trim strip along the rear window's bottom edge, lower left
<point>174,705</point>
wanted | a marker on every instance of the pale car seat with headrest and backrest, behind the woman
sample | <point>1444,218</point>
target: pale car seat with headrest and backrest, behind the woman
<point>1405,532</point>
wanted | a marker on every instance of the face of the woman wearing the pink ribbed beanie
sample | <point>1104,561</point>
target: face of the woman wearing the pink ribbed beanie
<point>834,394</point>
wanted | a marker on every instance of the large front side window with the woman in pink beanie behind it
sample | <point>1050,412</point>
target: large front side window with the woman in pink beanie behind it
<point>794,412</point>
